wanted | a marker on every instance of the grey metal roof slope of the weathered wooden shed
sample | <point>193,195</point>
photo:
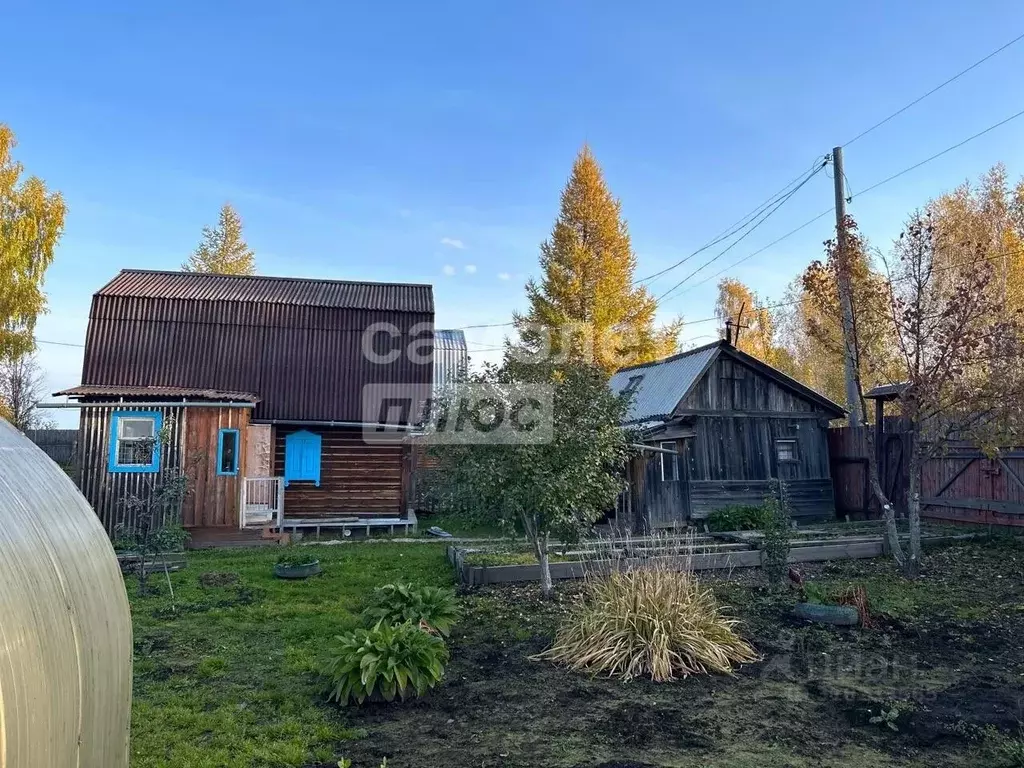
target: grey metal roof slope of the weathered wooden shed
<point>661,386</point>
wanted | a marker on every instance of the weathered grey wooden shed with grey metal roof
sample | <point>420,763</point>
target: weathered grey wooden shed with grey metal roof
<point>718,426</point>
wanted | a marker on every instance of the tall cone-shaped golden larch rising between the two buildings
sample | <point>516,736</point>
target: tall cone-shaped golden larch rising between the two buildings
<point>585,308</point>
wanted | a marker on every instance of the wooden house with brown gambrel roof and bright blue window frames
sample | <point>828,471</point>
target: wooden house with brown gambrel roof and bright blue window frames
<point>264,392</point>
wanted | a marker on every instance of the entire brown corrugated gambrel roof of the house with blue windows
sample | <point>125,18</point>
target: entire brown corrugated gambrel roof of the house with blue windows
<point>296,345</point>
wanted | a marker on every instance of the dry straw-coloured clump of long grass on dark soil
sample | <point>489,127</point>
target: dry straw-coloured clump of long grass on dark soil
<point>653,621</point>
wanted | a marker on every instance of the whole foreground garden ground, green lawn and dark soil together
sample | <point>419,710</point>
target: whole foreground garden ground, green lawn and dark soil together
<point>225,677</point>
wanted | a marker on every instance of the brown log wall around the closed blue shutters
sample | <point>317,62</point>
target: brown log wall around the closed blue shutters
<point>357,479</point>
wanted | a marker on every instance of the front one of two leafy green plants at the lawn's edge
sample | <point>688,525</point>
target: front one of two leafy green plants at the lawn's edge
<point>383,663</point>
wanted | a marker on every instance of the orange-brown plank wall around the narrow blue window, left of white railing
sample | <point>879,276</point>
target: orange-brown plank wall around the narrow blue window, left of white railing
<point>214,501</point>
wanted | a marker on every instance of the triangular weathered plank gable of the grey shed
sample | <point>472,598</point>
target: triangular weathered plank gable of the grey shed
<point>731,386</point>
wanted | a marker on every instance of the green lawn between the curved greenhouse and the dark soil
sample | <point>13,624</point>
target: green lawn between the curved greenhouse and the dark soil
<point>224,675</point>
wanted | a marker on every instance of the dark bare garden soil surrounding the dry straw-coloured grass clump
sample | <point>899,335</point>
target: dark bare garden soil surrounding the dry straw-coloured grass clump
<point>946,662</point>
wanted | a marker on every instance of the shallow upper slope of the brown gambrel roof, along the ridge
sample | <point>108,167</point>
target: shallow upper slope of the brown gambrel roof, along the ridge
<point>336,294</point>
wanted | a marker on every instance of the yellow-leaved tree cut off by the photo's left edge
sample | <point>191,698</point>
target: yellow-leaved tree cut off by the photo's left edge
<point>31,224</point>
